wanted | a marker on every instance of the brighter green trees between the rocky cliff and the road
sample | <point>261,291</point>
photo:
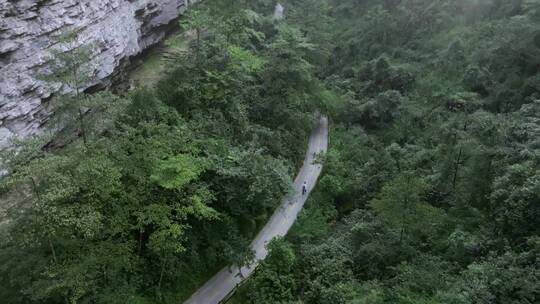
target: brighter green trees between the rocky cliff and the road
<point>139,199</point>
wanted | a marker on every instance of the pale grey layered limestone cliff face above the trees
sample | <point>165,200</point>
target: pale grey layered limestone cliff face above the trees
<point>29,30</point>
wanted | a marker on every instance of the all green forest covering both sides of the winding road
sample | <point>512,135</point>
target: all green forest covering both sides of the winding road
<point>430,191</point>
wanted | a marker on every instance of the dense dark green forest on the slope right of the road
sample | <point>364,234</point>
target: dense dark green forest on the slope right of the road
<point>431,189</point>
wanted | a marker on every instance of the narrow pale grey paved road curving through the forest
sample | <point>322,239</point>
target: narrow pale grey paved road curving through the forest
<point>224,282</point>
